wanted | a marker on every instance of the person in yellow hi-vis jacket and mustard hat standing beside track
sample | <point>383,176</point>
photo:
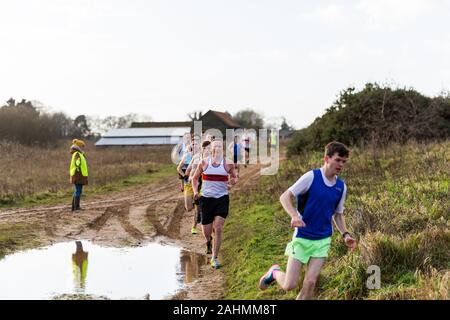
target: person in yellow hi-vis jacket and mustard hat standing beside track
<point>78,171</point>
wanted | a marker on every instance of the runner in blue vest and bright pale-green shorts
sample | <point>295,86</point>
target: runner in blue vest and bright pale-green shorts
<point>320,196</point>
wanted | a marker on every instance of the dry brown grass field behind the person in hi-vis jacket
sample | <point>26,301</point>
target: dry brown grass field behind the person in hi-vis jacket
<point>29,174</point>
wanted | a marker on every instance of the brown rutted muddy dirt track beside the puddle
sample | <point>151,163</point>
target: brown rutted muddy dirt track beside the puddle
<point>139,215</point>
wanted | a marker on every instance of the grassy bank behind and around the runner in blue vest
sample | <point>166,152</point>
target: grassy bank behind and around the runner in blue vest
<point>398,206</point>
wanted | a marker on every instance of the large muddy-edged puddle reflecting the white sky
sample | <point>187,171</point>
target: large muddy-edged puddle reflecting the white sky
<point>81,267</point>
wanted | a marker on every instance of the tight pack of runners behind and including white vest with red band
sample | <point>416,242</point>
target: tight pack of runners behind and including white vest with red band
<point>206,177</point>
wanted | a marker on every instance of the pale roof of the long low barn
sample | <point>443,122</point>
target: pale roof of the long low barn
<point>147,132</point>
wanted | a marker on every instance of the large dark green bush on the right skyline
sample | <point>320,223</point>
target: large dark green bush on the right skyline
<point>377,115</point>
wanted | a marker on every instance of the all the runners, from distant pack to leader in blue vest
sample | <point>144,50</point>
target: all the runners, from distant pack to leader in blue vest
<point>312,202</point>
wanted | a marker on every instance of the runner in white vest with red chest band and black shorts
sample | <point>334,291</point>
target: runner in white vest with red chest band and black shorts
<point>217,174</point>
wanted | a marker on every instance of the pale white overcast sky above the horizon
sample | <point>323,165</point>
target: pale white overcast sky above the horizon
<point>165,59</point>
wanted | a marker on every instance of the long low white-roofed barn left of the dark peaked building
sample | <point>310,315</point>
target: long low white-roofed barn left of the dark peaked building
<point>143,136</point>
